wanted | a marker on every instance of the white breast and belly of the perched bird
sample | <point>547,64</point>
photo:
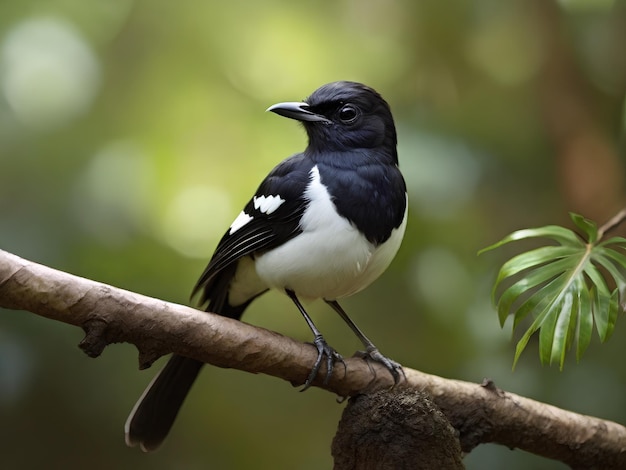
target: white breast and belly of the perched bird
<point>330,259</point>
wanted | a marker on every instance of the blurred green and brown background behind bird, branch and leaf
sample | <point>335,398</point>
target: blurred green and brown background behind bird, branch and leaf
<point>132,133</point>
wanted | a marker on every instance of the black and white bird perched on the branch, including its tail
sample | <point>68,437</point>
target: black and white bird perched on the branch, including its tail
<point>324,224</point>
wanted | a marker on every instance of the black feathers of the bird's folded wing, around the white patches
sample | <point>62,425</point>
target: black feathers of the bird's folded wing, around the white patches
<point>265,229</point>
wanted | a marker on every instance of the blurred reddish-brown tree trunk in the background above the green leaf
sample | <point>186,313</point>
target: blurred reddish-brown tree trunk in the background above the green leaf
<point>591,174</point>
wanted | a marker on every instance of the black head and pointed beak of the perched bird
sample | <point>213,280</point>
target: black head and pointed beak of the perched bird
<point>344,116</point>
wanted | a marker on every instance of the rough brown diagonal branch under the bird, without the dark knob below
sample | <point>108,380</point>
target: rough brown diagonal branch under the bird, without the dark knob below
<point>480,412</point>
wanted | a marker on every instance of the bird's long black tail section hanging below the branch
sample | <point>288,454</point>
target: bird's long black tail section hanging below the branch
<point>153,415</point>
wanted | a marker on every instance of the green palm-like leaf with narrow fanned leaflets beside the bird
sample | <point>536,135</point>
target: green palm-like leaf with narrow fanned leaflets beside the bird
<point>562,287</point>
